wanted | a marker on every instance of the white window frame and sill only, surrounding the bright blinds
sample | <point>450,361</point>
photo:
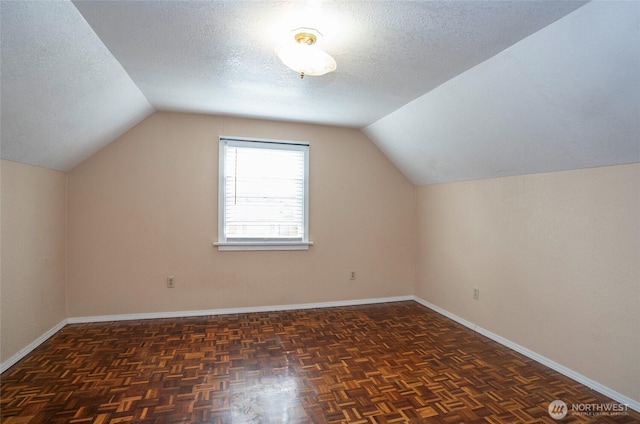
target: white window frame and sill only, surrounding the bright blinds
<point>223,244</point>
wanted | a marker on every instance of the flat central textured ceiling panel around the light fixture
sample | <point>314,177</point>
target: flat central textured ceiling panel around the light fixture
<point>218,57</point>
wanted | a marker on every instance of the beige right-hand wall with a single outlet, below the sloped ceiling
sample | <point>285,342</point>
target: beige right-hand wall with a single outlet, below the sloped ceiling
<point>556,258</point>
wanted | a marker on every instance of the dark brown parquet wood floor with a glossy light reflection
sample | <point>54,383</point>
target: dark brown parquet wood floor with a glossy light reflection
<point>385,363</point>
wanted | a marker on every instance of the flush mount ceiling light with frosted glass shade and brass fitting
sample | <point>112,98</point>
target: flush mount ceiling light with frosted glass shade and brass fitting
<point>301,53</point>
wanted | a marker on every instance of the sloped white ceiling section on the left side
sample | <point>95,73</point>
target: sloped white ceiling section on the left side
<point>63,95</point>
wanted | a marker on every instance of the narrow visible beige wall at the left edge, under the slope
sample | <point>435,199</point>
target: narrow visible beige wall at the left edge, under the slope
<point>33,254</point>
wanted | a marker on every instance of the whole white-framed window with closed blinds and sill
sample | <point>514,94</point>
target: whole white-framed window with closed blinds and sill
<point>263,195</point>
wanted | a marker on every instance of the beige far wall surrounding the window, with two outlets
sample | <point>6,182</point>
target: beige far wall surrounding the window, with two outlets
<point>145,208</point>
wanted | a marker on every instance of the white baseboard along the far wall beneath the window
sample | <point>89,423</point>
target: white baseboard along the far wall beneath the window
<point>244,310</point>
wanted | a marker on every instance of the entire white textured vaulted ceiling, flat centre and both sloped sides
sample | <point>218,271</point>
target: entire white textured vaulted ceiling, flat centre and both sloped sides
<point>449,90</point>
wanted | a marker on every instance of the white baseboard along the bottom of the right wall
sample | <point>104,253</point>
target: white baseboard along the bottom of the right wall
<point>618,397</point>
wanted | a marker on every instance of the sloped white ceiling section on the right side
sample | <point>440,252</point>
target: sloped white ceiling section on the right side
<point>567,97</point>
